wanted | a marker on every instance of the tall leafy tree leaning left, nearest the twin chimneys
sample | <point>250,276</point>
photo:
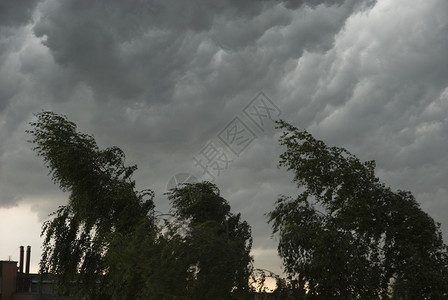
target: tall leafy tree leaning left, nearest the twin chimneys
<point>85,239</point>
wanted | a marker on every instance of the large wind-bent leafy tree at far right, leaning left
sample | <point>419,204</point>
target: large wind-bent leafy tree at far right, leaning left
<point>347,235</point>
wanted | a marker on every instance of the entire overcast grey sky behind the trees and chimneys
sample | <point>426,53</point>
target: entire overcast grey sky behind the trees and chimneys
<point>190,86</point>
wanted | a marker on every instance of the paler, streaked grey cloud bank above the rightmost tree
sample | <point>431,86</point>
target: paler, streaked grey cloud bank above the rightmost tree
<point>381,91</point>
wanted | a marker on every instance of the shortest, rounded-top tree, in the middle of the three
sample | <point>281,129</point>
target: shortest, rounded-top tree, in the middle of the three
<point>216,243</point>
